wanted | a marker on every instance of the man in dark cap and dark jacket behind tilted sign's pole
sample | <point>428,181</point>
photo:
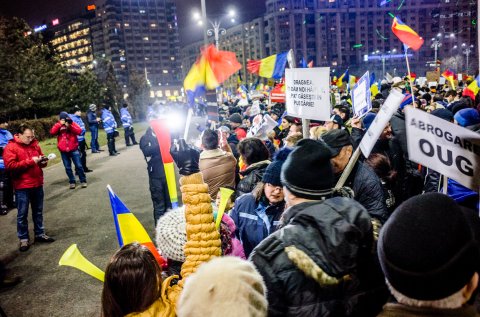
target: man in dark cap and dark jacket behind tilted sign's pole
<point>366,185</point>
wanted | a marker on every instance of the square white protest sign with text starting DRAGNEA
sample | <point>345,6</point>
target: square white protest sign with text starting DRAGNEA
<point>308,93</point>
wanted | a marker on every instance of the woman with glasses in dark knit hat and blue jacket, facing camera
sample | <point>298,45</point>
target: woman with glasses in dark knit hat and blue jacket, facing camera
<point>257,214</point>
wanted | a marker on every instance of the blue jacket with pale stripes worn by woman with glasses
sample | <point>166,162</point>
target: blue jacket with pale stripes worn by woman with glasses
<point>255,220</point>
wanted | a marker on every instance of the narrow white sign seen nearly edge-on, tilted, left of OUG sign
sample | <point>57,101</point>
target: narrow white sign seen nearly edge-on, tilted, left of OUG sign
<point>382,118</point>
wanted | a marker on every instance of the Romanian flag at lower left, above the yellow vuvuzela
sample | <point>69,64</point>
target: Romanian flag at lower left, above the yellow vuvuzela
<point>129,229</point>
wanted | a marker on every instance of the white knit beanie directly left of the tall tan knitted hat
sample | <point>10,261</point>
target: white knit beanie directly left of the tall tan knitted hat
<point>171,235</point>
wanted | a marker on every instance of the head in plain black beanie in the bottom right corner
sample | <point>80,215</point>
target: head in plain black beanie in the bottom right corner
<point>429,253</point>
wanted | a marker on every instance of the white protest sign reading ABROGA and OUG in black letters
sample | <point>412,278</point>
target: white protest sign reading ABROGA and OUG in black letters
<point>444,147</point>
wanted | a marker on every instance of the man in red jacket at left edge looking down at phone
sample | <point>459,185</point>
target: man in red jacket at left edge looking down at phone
<point>24,161</point>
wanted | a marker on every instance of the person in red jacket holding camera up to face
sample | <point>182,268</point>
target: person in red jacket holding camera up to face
<point>66,131</point>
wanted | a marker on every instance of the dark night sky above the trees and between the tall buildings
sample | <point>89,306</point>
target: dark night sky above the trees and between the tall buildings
<point>37,12</point>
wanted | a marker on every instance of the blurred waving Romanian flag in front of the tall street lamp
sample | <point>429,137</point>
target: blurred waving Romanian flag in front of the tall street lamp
<point>211,69</point>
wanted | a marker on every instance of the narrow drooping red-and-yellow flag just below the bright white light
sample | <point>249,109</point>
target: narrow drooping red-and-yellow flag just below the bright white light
<point>160,128</point>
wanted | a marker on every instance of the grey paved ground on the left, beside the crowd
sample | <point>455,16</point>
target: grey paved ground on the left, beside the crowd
<point>81,216</point>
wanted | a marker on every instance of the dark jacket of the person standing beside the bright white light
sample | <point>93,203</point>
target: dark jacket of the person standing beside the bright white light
<point>151,151</point>
